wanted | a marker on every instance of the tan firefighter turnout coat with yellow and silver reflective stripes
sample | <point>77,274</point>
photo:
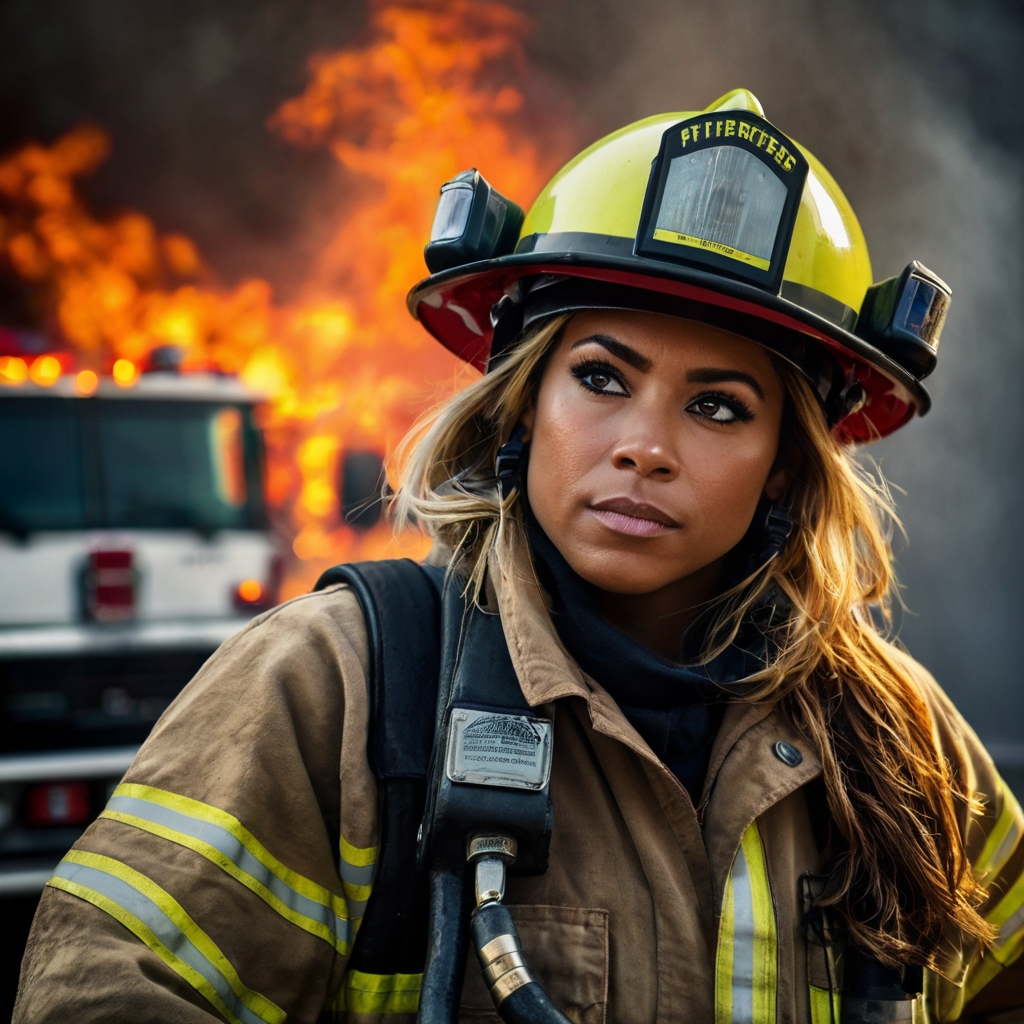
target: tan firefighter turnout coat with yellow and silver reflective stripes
<point>227,879</point>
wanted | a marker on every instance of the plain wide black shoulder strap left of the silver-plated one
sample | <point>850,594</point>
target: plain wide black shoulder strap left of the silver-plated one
<point>401,604</point>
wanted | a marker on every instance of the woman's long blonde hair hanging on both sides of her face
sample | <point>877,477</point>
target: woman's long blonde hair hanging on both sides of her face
<point>902,877</point>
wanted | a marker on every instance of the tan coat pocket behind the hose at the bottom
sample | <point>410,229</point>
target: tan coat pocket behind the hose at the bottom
<point>568,953</point>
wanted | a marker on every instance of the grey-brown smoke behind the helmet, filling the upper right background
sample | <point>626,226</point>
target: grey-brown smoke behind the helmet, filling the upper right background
<point>913,107</point>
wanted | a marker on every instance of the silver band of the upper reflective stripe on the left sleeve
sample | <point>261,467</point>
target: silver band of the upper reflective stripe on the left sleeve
<point>223,841</point>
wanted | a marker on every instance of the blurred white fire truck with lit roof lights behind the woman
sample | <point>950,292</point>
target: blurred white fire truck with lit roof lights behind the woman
<point>134,542</point>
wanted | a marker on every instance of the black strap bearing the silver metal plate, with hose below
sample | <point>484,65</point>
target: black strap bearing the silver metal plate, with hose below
<point>479,685</point>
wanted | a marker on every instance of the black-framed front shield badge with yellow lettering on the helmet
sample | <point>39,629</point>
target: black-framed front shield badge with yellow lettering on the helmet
<point>723,194</point>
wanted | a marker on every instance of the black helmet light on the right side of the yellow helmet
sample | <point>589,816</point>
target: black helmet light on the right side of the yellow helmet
<point>904,317</point>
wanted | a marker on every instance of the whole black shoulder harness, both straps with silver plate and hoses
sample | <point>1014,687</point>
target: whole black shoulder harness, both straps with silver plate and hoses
<point>449,721</point>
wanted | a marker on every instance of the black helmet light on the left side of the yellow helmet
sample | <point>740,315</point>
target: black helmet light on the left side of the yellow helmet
<point>474,223</point>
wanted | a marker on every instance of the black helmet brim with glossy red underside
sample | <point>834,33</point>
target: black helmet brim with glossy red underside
<point>456,308</point>
